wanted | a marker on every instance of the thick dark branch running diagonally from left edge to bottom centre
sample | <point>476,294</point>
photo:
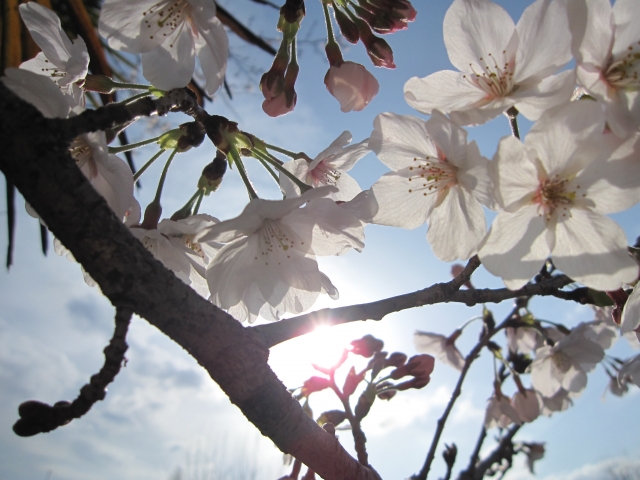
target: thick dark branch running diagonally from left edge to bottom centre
<point>35,158</point>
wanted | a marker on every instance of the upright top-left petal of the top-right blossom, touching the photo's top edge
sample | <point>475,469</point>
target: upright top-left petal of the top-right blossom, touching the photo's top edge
<point>473,29</point>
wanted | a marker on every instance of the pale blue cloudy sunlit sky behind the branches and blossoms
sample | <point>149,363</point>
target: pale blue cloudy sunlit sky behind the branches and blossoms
<point>164,418</point>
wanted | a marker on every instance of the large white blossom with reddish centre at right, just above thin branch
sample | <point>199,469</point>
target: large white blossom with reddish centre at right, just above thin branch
<point>554,190</point>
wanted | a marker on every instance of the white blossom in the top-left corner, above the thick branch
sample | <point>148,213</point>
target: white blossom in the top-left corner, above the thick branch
<point>66,62</point>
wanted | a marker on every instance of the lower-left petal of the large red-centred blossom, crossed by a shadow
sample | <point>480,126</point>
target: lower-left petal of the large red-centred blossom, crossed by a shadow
<point>516,247</point>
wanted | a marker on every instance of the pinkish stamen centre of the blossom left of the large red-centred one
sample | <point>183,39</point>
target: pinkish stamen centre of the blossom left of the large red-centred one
<point>432,175</point>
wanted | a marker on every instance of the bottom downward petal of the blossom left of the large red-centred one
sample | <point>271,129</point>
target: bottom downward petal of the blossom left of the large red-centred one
<point>456,226</point>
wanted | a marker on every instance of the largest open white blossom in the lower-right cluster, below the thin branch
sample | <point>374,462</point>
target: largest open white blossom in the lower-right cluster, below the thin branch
<point>565,365</point>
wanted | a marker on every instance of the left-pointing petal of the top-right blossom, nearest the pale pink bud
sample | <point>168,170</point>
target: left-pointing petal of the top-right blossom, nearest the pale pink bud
<point>446,90</point>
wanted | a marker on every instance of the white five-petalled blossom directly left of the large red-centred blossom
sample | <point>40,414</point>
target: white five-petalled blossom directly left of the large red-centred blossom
<point>437,177</point>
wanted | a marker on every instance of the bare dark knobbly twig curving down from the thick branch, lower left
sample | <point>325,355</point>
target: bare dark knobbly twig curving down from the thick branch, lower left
<point>37,417</point>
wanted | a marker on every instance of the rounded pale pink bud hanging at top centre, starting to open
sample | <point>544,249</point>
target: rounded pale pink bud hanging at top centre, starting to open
<point>352,85</point>
